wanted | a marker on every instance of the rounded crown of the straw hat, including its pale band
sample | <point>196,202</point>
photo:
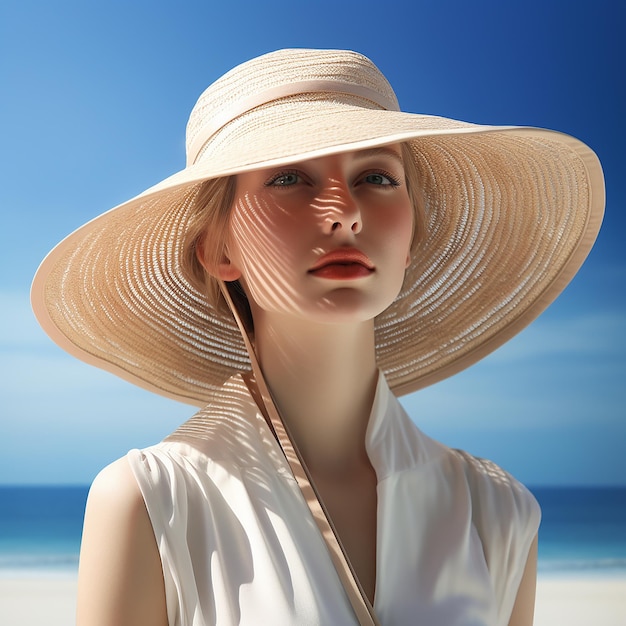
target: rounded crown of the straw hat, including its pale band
<point>282,74</point>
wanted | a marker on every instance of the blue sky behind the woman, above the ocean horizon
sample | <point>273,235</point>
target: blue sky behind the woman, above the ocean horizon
<point>95,97</point>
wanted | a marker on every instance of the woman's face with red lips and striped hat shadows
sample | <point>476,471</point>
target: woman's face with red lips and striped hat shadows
<point>326,239</point>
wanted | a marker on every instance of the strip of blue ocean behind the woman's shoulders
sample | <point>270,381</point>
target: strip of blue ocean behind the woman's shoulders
<point>583,530</point>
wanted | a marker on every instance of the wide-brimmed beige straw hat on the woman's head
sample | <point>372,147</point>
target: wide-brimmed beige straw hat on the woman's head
<point>511,214</point>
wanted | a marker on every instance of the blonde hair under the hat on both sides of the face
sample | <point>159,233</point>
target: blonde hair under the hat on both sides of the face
<point>210,212</point>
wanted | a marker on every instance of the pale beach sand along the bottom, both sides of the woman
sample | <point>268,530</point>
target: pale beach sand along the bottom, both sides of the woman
<point>561,601</point>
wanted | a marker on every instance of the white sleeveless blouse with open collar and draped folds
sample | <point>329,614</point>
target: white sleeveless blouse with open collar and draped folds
<point>239,546</point>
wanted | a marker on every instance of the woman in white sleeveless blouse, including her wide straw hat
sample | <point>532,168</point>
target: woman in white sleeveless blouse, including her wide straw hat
<point>321,252</point>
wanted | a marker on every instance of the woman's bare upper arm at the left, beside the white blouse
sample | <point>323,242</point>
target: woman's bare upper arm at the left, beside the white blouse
<point>120,580</point>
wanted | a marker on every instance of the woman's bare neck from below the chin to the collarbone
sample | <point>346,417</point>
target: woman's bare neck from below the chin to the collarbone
<point>323,379</point>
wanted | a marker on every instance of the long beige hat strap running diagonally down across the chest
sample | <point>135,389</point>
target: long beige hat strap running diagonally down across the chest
<point>358,599</point>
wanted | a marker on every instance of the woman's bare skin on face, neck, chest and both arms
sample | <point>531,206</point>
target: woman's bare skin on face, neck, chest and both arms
<point>326,408</point>
